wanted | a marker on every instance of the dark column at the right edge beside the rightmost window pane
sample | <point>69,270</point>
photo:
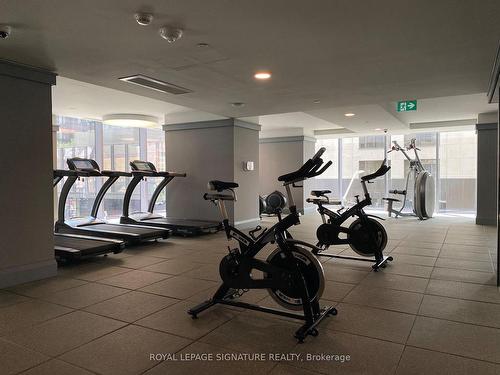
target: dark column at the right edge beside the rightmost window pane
<point>487,159</point>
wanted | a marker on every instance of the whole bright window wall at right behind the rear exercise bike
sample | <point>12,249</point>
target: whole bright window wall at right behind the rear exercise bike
<point>451,157</point>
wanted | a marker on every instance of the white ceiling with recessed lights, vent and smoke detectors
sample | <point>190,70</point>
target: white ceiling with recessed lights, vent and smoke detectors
<point>356,56</point>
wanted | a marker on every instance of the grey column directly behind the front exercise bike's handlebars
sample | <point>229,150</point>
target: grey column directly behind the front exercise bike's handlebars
<point>280,155</point>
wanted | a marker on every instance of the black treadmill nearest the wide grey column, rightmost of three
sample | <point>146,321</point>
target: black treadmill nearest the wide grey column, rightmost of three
<point>184,227</point>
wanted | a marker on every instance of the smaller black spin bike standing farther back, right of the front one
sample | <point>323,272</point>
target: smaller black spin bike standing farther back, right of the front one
<point>365,235</point>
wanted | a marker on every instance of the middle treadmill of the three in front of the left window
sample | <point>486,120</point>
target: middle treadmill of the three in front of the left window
<point>91,225</point>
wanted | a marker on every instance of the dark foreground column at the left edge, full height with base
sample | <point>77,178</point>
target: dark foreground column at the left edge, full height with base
<point>27,248</point>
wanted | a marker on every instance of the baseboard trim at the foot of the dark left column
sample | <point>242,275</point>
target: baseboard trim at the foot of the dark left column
<point>27,272</point>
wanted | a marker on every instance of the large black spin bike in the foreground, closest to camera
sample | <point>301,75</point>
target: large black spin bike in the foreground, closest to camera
<point>291,274</point>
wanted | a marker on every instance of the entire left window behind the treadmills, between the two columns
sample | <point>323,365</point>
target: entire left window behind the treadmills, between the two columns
<point>120,145</point>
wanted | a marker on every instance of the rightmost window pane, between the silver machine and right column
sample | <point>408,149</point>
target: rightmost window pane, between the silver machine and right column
<point>458,171</point>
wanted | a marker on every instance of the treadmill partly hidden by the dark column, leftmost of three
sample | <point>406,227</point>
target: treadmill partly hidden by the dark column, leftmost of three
<point>75,247</point>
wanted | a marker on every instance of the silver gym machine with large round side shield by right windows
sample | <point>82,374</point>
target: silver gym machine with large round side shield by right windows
<point>424,187</point>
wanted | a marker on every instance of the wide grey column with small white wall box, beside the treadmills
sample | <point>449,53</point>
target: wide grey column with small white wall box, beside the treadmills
<point>213,150</point>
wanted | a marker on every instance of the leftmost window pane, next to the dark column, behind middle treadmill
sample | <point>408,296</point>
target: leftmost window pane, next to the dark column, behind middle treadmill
<point>76,138</point>
